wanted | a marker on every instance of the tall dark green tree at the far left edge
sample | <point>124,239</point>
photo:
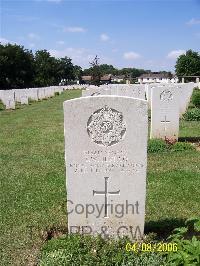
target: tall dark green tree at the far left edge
<point>16,67</point>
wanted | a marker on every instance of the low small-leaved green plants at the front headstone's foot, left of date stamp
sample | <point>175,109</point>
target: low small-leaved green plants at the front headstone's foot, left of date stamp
<point>87,250</point>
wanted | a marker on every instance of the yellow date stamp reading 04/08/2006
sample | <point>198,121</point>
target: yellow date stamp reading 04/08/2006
<point>151,247</point>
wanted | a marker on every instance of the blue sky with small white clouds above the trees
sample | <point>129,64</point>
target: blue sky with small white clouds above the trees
<point>148,34</point>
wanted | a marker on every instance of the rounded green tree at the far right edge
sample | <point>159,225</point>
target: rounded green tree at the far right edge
<point>188,64</point>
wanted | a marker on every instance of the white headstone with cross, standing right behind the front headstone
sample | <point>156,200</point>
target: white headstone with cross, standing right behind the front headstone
<point>165,113</point>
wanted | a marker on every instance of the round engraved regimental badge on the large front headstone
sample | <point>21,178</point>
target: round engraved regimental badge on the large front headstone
<point>106,126</point>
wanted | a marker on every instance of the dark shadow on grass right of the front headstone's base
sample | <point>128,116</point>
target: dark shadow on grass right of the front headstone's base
<point>163,228</point>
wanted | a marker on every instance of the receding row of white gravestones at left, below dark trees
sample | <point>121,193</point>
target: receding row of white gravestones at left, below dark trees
<point>10,97</point>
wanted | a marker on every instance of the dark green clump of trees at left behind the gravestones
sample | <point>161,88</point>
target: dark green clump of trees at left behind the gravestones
<point>20,68</point>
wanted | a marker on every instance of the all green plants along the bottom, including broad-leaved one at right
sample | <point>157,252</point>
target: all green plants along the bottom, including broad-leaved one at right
<point>87,250</point>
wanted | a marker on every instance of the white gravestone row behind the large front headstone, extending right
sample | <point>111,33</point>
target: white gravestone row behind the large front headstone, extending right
<point>167,103</point>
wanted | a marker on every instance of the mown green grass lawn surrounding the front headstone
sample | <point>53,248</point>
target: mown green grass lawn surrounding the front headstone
<point>32,178</point>
